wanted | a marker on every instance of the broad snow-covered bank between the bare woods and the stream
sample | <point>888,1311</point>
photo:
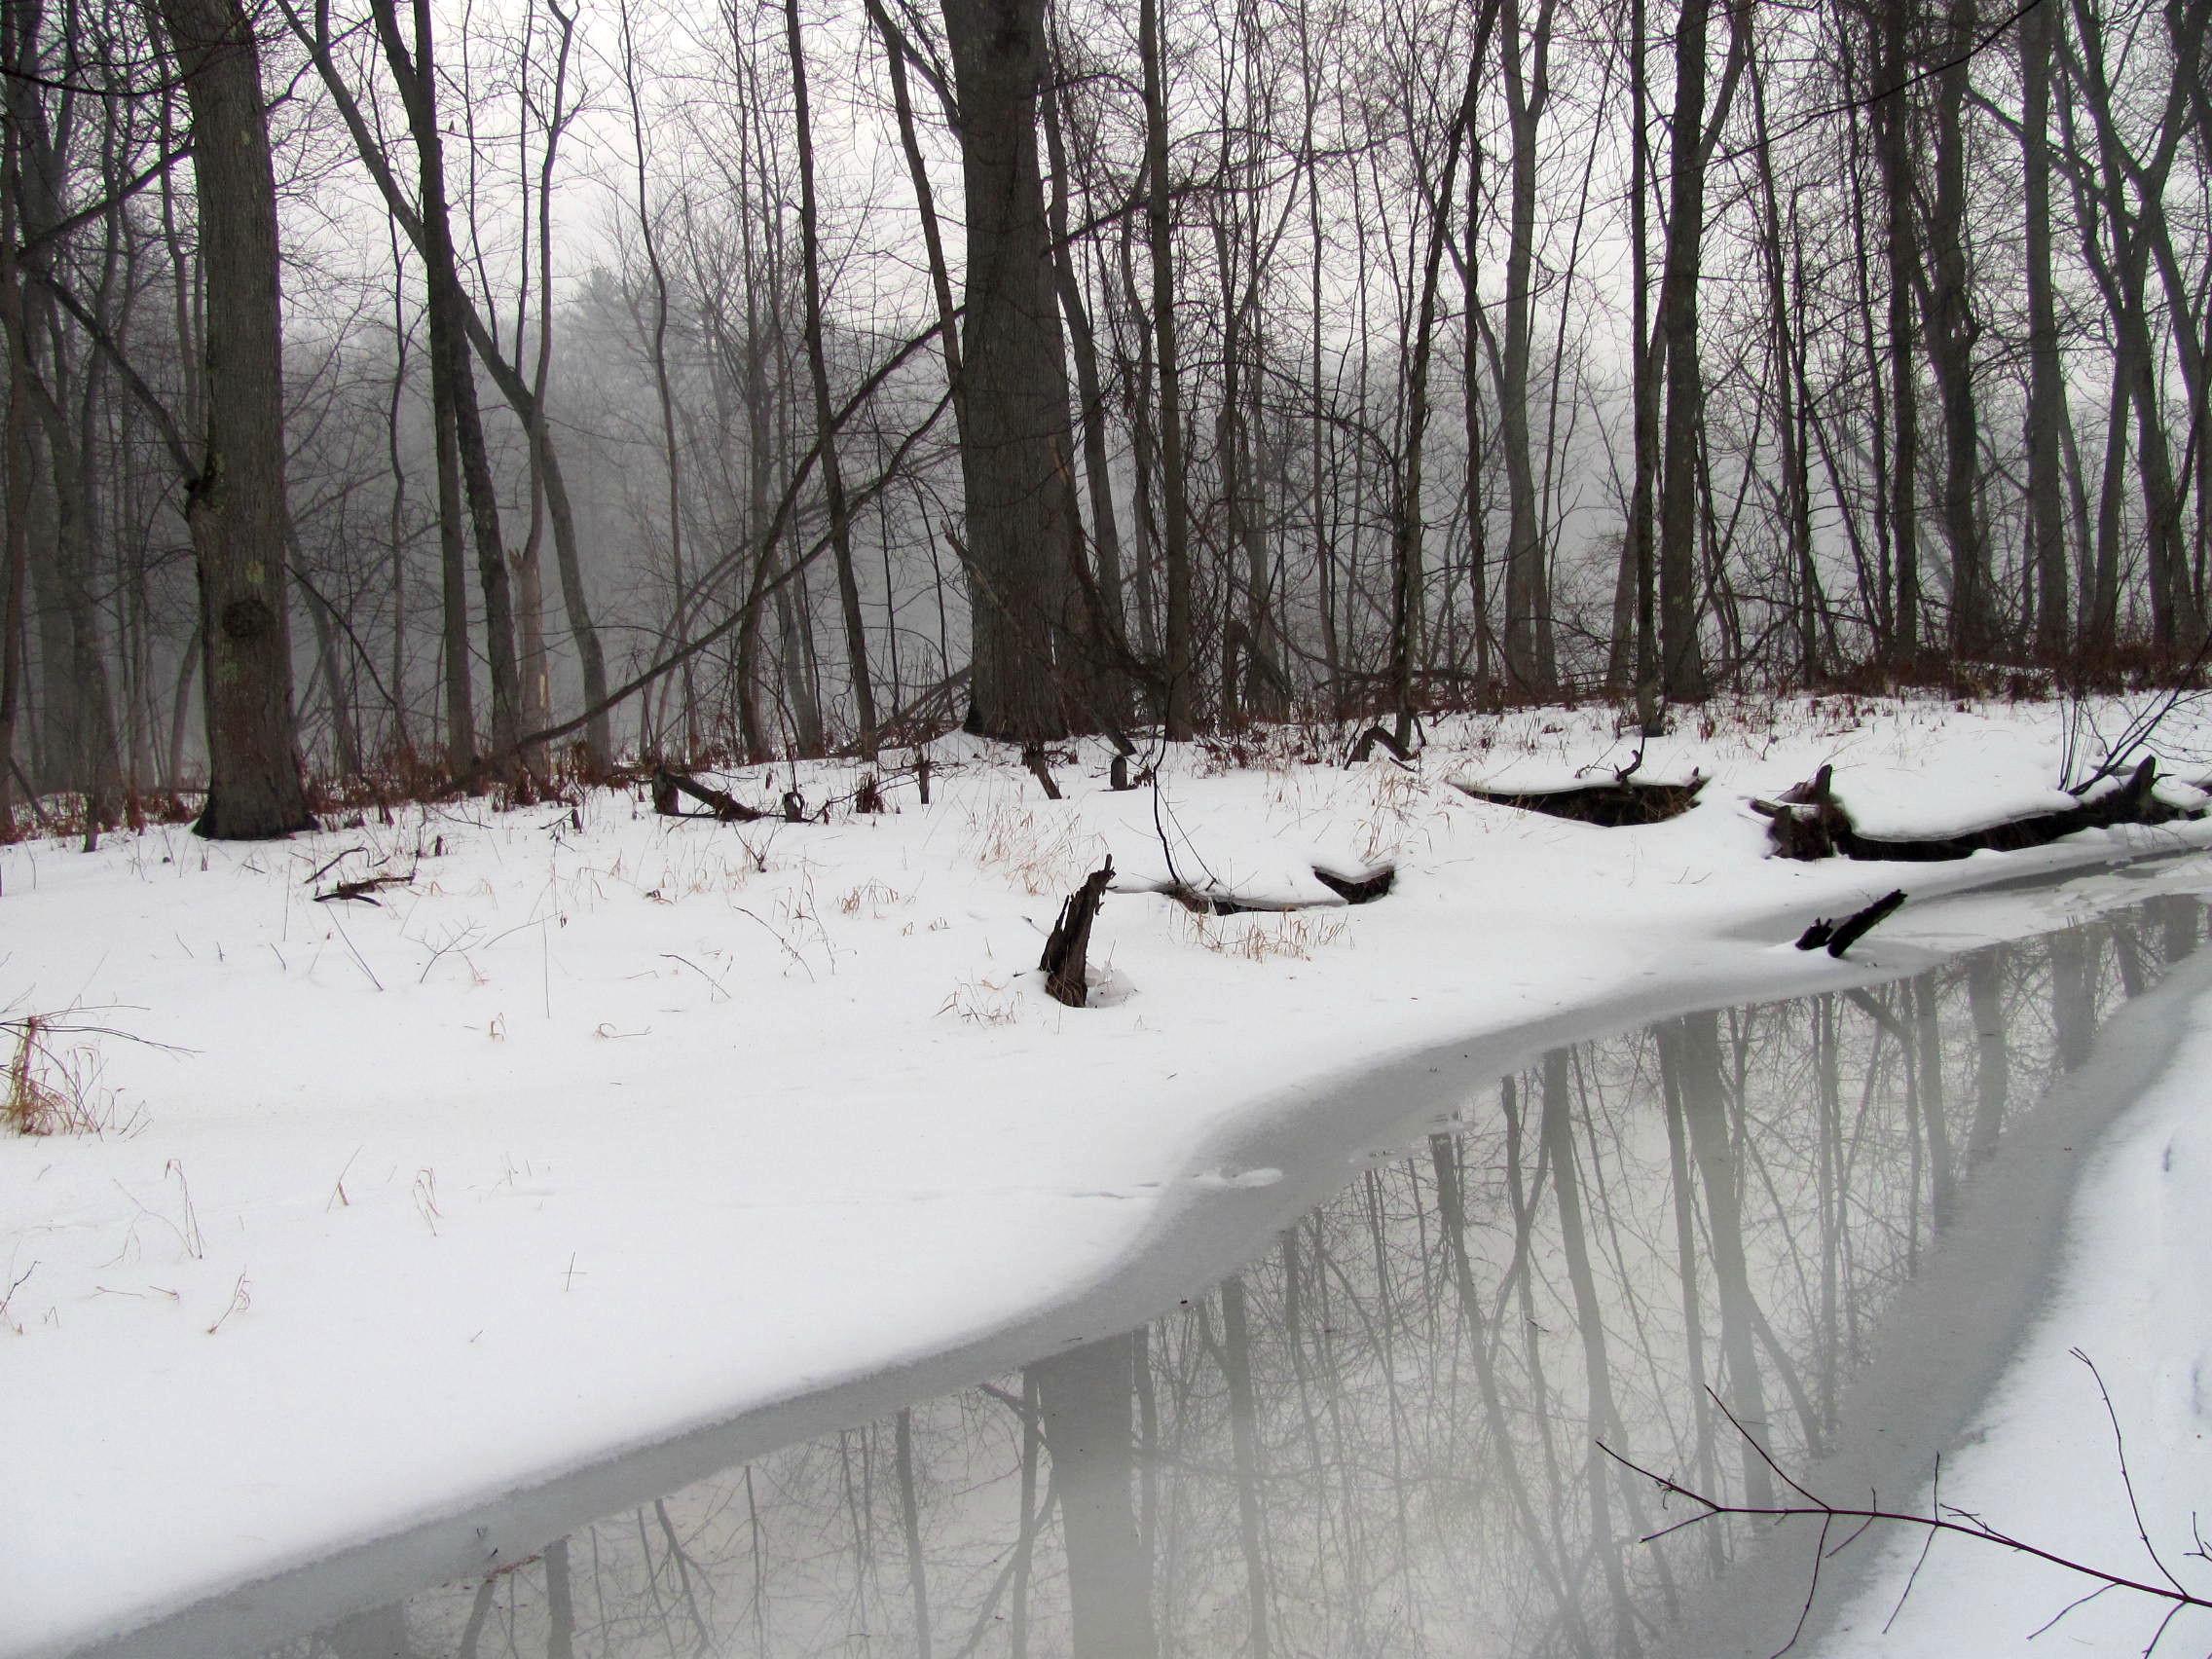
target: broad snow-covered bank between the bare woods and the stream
<point>607,1145</point>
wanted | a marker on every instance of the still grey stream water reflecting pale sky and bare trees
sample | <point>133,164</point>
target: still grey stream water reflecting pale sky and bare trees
<point>1379,1437</point>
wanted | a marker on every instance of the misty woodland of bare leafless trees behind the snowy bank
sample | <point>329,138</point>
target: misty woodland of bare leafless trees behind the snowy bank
<point>474,395</point>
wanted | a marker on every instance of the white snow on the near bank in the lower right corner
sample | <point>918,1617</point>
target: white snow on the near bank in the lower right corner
<point>2041,1461</point>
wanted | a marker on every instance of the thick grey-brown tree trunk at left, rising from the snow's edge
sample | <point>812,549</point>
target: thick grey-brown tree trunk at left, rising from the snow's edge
<point>236,508</point>
